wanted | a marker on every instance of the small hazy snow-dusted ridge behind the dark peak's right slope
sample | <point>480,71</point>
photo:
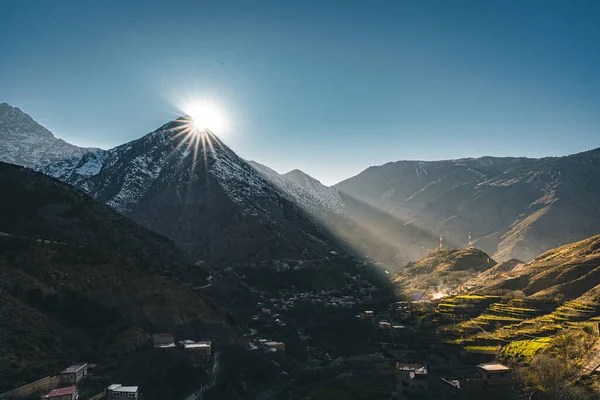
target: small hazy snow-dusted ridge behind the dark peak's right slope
<point>304,190</point>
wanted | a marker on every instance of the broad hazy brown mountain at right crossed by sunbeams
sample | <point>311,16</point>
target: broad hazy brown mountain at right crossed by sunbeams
<point>513,207</point>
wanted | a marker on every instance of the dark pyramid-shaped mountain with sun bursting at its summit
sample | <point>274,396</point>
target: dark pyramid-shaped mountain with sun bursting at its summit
<point>208,200</point>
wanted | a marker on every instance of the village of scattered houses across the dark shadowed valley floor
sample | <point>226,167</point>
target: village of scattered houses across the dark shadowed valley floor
<point>393,332</point>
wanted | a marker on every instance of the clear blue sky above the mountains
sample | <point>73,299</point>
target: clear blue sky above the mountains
<point>329,87</point>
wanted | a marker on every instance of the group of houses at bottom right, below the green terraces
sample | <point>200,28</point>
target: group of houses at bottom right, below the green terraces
<point>490,381</point>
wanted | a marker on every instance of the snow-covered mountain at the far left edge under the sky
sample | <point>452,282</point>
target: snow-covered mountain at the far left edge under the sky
<point>25,142</point>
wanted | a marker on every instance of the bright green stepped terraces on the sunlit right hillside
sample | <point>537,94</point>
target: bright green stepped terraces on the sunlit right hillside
<point>517,328</point>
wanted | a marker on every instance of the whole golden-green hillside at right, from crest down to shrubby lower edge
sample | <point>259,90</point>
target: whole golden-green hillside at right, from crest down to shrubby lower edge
<point>540,313</point>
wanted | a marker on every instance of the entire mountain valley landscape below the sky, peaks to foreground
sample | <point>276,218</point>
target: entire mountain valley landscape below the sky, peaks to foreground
<point>435,270</point>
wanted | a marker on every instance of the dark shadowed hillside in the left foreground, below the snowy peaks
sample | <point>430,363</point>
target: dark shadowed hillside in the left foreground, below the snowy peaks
<point>81,282</point>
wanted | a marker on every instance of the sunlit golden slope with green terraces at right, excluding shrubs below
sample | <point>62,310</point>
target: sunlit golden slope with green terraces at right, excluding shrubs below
<point>519,311</point>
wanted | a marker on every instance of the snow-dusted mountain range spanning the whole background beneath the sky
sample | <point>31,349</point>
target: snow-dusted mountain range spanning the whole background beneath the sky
<point>224,208</point>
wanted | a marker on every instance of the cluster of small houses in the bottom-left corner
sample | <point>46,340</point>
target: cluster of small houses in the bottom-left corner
<point>71,379</point>
